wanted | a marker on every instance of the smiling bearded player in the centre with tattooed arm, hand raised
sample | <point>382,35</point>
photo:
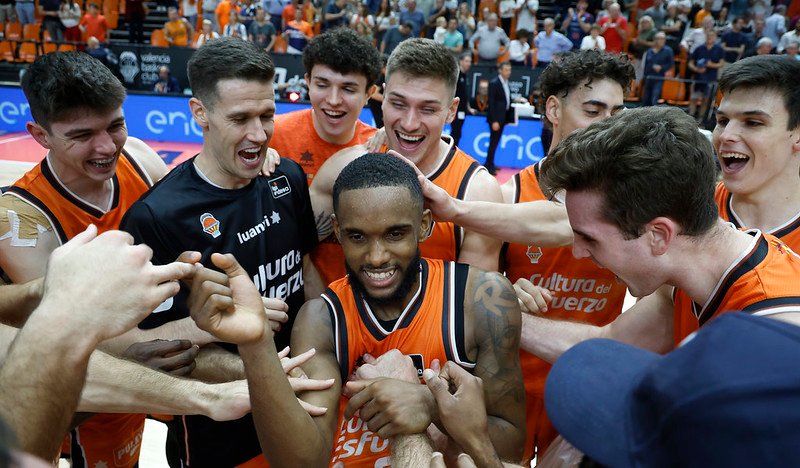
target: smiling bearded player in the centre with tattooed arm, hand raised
<point>429,309</point>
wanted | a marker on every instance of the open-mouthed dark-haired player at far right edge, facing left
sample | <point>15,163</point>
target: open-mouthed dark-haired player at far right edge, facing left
<point>757,142</point>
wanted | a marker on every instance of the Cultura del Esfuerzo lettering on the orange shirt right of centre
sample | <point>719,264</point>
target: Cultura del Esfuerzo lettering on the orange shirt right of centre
<point>582,288</point>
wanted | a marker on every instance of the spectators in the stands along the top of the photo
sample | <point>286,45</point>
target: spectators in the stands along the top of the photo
<point>678,47</point>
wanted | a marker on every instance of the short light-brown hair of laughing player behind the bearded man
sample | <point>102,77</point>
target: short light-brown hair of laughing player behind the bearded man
<point>424,58</point>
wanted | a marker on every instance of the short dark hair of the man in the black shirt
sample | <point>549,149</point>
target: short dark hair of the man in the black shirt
<point>227,58</point>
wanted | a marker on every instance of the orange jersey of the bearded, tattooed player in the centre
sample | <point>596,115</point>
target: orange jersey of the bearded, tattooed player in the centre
<point>431,327</point>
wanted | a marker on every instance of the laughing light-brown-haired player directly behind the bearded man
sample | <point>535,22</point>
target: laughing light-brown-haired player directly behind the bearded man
<point>421,77</point>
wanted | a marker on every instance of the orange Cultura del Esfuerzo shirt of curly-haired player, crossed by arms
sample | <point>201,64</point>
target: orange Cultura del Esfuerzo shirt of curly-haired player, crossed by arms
<point>582,292</point>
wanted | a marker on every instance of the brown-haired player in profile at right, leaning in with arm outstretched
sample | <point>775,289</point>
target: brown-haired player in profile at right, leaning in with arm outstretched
<point>640,198</point>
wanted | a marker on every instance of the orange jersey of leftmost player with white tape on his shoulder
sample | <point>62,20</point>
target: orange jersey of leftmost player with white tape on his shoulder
<point>110,440</point>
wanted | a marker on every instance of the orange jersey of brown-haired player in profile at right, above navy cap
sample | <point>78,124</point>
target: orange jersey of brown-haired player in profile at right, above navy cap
<point>763,281</point>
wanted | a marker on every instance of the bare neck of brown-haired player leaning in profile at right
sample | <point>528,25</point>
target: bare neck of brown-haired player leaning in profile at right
<point>702,261</point>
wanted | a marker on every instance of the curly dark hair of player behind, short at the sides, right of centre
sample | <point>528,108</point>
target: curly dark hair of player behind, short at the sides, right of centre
<point>561,77</point>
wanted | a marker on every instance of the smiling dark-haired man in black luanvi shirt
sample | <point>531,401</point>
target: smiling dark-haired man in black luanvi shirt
<point>217,202</point>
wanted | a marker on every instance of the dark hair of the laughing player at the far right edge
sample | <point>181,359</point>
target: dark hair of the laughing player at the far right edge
<point>774,72</point>
